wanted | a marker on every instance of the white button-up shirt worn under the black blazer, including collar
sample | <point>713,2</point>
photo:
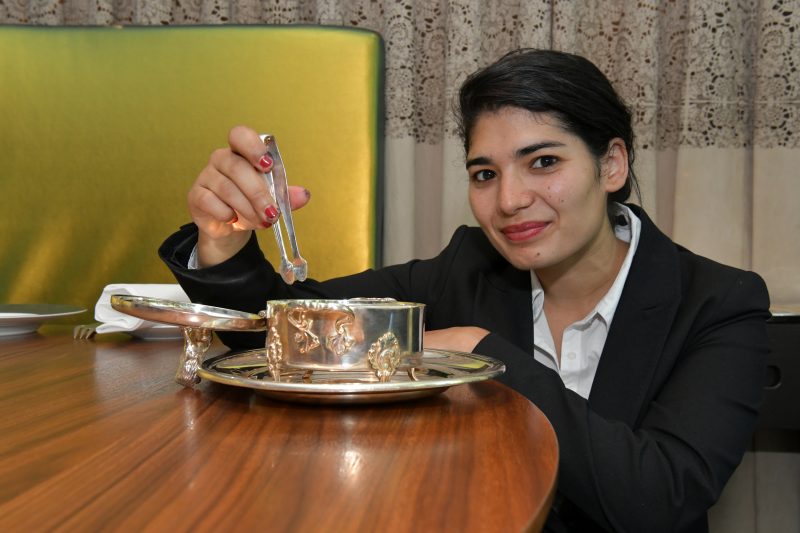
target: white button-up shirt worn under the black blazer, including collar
<point>583,341</point>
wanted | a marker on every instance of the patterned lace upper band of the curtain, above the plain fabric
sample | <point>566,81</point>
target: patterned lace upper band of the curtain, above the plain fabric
<point>714,73</point>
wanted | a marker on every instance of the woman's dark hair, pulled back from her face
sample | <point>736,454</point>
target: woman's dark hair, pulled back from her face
<point>569,87</point>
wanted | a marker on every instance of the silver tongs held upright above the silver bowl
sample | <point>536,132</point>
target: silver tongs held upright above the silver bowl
<point>297,268</point>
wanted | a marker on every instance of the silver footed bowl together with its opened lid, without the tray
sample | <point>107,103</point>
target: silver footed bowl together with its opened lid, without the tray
<point>378,337</point>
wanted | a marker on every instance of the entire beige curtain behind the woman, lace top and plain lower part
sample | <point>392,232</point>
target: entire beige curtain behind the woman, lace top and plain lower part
<point>714,85</point>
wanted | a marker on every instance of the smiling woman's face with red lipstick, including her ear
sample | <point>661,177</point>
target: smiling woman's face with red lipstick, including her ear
<point>537,191</point>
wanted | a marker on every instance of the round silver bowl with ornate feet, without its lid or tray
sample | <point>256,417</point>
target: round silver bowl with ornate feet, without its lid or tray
<point>377,335</point>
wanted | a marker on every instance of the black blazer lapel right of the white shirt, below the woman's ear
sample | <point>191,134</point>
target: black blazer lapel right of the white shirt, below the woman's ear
<point>640,327</point>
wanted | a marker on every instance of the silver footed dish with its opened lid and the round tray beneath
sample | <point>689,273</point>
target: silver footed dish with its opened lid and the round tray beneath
<point>369,350</point>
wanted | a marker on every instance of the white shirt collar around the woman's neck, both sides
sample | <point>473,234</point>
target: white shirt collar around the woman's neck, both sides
<point>627,228</point>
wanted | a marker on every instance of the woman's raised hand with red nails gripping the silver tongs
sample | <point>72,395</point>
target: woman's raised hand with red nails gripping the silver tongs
<point>230,197</point>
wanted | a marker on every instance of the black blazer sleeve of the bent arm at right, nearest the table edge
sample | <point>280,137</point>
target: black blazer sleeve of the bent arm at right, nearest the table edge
<point>665,472</point>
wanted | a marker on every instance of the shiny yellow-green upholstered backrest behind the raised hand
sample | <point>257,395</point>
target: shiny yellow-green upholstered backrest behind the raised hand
<point>103,130</point>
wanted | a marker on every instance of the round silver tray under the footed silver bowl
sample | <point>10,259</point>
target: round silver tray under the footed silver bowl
<point>438,371</point>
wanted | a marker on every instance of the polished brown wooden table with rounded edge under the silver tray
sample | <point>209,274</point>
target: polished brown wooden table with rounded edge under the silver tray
<point>95,435</point>
